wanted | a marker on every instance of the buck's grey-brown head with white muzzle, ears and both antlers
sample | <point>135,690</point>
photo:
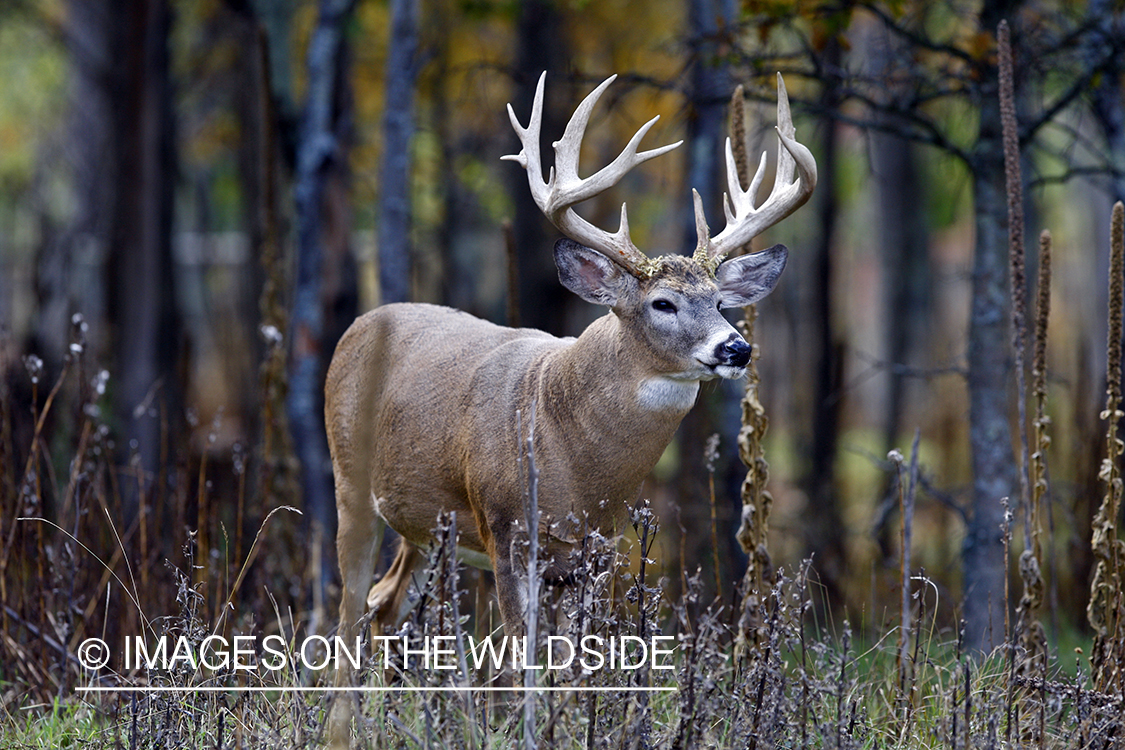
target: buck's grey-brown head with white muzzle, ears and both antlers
<point>673,301</point>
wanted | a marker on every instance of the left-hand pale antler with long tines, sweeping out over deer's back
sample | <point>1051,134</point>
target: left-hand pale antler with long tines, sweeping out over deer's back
<point>564,188</point>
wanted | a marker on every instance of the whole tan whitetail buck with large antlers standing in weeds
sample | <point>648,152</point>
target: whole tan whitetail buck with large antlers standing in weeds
<point>422,402</point>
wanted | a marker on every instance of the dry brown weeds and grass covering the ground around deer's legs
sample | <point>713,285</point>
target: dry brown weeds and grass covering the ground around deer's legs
<point>806,684</point>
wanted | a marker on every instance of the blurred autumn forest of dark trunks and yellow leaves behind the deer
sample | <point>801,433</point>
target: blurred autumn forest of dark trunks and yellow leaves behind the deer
<point>197,197</point>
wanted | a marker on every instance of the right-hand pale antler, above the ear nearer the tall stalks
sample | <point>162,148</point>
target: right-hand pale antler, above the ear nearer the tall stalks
<point>744,221</point>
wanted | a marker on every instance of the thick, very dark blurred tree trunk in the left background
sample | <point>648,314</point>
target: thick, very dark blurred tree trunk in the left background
<point>141,295</point>
